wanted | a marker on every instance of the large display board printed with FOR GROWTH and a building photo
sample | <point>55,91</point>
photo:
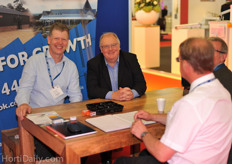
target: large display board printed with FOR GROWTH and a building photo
<point>23,33</point>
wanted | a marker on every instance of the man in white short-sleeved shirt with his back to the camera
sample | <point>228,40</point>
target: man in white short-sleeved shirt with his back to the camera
<point>198,127</point>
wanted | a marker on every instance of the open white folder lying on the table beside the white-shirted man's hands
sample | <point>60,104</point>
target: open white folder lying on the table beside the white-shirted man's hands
<point>113,122</point>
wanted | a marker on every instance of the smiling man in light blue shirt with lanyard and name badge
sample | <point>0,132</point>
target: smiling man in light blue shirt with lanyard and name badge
<point>47,79</point>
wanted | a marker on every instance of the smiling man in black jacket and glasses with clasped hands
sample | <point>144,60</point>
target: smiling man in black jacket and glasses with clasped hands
<point>114,74</point>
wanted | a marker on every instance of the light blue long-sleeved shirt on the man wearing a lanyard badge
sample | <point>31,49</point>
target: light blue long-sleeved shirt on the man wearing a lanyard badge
<point>35,85</point>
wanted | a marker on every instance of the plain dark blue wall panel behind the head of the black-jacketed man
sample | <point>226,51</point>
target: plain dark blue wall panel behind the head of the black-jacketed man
<point>112,16</point>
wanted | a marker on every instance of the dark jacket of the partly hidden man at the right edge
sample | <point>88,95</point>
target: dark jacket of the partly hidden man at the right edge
<point>224,75</point>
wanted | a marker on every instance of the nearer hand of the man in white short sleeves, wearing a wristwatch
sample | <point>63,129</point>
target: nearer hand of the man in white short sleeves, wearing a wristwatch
<point>138,128</point>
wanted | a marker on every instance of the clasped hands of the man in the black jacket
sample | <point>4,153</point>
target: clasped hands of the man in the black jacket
<point>123,94</point>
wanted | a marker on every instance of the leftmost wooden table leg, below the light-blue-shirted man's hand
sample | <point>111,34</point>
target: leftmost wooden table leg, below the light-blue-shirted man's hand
<point>26,145</point>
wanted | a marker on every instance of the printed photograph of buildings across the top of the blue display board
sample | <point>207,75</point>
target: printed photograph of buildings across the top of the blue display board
<point>26,18</point>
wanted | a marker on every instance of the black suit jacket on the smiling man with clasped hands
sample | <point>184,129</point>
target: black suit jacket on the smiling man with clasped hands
<point>129,75</point>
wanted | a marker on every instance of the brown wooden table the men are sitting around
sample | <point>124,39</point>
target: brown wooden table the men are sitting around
<point>72,149</point>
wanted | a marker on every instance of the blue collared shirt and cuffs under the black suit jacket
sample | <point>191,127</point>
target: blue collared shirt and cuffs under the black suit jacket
<point>113,72</point>
